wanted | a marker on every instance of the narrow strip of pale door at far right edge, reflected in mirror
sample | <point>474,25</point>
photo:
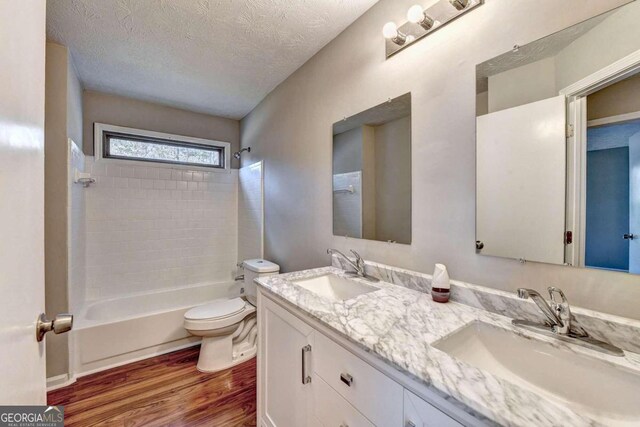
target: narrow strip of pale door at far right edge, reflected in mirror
<point>634,203</point>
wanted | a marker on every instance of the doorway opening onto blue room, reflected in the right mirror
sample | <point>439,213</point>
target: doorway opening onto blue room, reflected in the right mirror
<point>613,177</point>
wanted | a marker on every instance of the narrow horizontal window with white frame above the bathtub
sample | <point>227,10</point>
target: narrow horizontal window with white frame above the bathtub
<point>122,144</point>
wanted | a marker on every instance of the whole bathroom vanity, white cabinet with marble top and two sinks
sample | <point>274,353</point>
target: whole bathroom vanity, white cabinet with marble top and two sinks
<point>342,351</point>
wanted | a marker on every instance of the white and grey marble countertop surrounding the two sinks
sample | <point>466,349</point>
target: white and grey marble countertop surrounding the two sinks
<point>399,325</point>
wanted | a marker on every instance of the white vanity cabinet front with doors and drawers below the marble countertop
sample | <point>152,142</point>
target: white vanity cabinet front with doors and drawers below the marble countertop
<point>307,376</point>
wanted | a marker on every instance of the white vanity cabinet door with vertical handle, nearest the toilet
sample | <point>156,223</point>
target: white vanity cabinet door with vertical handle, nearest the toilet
<point>284,397</point>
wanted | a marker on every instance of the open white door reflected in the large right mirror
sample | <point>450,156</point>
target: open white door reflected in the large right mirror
<point>521,170</point>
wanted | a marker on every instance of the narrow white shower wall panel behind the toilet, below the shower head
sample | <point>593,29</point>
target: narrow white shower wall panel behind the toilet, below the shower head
<point>250,212</point>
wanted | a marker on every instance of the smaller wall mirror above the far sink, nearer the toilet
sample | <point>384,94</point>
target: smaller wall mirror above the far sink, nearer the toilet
<point>372,173</point>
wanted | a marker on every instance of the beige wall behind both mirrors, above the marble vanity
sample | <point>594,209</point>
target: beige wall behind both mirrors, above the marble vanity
<point>291,130</point>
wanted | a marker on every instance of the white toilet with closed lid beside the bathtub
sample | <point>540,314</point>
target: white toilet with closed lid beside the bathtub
<point>228,327</point>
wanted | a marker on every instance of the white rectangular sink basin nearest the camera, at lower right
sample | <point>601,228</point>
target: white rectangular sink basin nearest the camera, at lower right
<point>603,391</point>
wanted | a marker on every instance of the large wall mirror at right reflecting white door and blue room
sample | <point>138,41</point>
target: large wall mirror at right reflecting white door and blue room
<point>558,147</point>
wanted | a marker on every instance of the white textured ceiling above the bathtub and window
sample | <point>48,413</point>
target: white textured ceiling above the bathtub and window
<point>216,56</point>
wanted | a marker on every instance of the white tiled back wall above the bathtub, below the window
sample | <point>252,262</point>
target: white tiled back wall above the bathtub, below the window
<point>152,228</point>
